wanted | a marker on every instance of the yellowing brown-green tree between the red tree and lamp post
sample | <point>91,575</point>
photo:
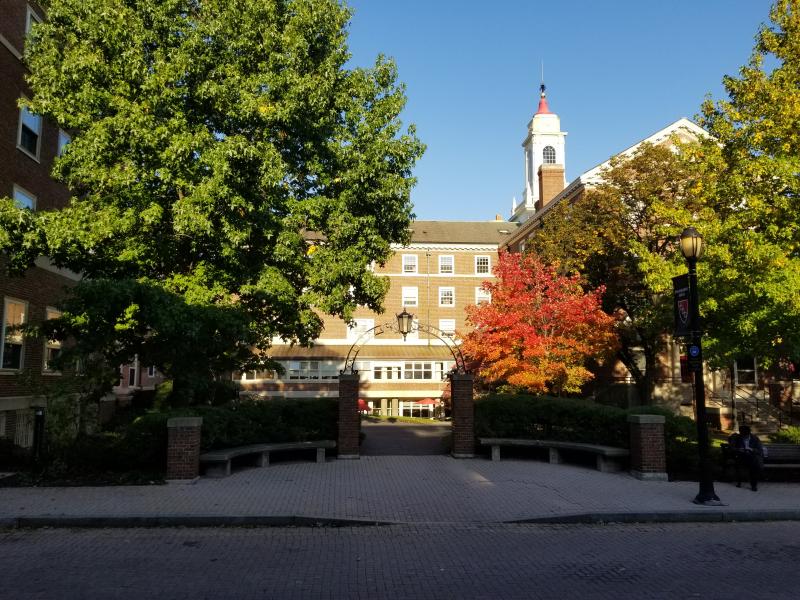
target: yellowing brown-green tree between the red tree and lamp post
<point>622,234</point>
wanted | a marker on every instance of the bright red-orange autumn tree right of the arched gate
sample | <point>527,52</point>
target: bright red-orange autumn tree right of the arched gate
<point>539,329</point>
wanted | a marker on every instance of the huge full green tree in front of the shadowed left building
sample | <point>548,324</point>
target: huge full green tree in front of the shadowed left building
<point>213,141</point>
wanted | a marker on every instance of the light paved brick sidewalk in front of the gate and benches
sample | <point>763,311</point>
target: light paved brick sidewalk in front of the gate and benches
<point>395,489</point>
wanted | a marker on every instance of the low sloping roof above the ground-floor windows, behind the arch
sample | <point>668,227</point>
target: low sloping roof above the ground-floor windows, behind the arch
<point>400,351</point>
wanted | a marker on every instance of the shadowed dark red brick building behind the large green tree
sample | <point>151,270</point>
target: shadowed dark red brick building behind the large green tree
<point>28,146</point>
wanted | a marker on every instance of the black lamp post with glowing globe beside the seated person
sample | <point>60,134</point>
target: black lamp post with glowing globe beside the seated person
<point>692,249</point>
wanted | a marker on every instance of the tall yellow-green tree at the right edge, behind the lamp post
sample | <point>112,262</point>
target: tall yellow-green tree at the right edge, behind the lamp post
<point>752,283</point>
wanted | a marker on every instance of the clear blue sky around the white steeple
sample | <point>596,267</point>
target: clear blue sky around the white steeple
<point>616,71</point>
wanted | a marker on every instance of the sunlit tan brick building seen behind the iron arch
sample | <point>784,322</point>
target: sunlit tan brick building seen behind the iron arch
<point>435,278</point>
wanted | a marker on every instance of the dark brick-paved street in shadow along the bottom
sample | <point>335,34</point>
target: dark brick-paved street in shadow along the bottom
<point>709,561</point>
